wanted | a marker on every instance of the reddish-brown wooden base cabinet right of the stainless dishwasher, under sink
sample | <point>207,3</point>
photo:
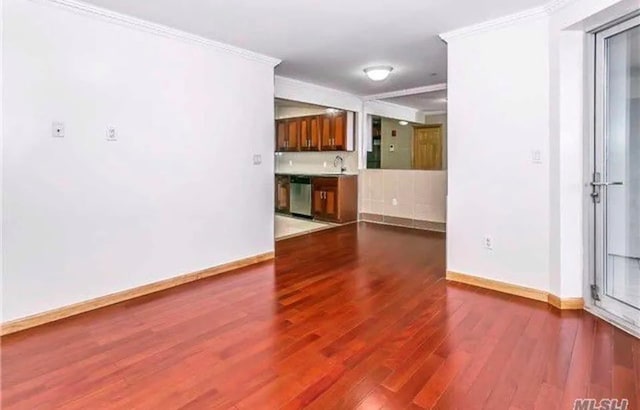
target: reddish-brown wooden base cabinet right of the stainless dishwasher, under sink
<point>335,199</point>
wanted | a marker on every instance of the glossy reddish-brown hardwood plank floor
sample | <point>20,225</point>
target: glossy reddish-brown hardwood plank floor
<point>353,317</point>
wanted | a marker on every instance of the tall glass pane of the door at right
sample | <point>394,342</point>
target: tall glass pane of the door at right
<point>622,278</point>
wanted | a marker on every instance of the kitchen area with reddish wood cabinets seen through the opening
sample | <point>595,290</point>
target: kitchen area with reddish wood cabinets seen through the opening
<point>316,168</point>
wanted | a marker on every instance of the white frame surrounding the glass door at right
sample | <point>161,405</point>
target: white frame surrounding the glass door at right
<point>594,151</point>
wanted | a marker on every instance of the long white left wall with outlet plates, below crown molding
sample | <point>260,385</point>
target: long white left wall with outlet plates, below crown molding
<point>177,192</point>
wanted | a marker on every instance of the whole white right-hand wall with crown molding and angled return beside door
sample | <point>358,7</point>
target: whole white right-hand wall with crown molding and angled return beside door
<point>499,74</point>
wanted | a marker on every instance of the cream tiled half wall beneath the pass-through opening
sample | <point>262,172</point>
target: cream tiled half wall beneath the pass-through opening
<point>412,198</point>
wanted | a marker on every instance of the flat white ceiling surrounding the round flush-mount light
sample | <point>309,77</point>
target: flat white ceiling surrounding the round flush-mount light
<point>329,42</point>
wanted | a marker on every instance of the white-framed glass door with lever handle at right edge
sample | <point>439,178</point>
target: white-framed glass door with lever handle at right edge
<point>616,176</point>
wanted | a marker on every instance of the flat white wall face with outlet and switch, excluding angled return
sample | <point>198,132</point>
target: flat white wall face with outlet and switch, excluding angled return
<point>497,115</point>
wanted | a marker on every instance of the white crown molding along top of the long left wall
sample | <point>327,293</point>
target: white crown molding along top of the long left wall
<point>158,29</point>
